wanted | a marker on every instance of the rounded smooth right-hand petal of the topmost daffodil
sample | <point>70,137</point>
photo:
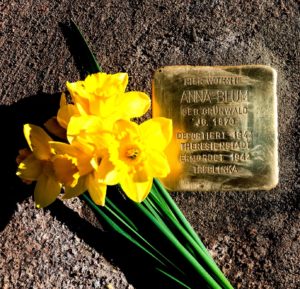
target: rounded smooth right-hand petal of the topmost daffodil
<point>134,104</point>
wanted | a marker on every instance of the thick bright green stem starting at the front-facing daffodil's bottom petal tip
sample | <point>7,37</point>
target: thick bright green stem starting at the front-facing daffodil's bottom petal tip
<point>181,249</point>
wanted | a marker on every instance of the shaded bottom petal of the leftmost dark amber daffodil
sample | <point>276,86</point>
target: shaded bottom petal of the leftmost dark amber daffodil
<point>46,190</point>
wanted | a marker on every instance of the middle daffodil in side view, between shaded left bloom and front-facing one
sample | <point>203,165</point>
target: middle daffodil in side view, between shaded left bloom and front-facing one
<point>95,150</point>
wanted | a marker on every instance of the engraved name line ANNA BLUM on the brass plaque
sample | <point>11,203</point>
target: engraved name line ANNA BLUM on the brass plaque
<point>208,96</point>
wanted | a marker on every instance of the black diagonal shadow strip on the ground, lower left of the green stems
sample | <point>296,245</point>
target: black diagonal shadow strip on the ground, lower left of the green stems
<point>137,267</point>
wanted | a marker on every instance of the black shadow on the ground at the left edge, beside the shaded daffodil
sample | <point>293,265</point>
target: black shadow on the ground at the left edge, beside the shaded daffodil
<point>36,110</point>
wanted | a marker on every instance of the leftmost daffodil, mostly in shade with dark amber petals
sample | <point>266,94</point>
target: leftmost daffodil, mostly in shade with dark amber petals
<point>42,166</point>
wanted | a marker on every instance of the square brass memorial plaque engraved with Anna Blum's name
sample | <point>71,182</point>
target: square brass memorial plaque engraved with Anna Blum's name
<point>225,126</point>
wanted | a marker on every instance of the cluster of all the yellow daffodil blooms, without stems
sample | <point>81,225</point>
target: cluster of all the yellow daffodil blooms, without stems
<point>103,146</point>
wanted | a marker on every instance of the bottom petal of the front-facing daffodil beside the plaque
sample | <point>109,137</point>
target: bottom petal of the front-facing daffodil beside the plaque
<point>134,190</point>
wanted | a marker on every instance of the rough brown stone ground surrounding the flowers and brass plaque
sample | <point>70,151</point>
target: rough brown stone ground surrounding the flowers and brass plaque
<point>254,236</point>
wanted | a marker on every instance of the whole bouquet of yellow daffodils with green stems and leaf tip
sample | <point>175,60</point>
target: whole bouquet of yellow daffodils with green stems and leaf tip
<point>94,144</point>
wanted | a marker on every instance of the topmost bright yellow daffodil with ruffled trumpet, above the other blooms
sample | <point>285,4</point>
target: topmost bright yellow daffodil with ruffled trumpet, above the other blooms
<point>103,95</point>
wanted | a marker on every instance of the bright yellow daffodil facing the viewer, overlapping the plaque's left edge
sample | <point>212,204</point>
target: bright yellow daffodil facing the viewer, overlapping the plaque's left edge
<point>141,152</point>
